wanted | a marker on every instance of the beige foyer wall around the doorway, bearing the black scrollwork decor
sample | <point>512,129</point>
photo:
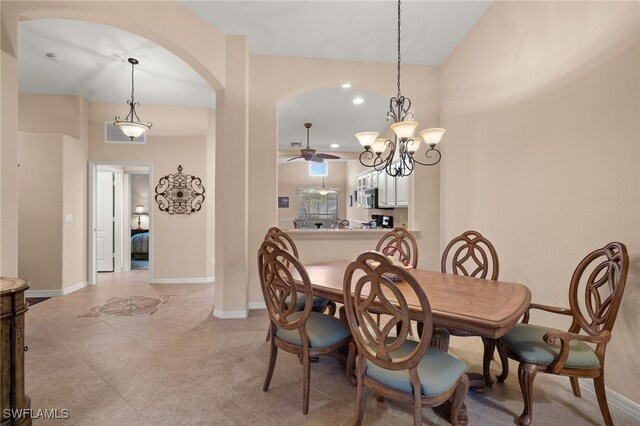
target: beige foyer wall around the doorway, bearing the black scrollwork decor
<point>178,137</point>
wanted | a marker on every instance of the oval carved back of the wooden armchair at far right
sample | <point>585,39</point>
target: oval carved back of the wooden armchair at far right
<point>596,289</point>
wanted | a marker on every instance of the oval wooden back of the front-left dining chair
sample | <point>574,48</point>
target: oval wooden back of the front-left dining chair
<point>275,266</point>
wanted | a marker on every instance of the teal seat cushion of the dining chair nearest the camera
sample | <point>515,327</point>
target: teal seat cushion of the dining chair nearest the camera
<point>438,371</point>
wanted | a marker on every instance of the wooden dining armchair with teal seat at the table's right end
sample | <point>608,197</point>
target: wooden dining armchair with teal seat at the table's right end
<point>595,293</point>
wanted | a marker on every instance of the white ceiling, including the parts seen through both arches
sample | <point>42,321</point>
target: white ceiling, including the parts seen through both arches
<point>93,57</point>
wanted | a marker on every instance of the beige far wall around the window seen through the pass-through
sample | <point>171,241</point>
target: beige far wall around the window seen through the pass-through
<point>295,175</point>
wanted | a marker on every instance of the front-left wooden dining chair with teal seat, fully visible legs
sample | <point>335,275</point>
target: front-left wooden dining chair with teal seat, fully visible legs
<point>302,332</point>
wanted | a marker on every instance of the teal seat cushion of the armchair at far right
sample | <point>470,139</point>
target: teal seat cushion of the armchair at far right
<point>526,341</point>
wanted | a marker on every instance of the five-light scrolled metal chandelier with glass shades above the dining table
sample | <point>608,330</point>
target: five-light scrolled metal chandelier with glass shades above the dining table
<point>380,153</point>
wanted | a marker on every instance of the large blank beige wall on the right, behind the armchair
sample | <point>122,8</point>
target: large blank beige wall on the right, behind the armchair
<point>541,106</point>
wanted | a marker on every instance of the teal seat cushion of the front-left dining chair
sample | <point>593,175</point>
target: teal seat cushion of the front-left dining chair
<point>323,330</point>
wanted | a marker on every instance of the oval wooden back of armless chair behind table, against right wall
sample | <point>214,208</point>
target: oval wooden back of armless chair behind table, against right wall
<point>472,255</point>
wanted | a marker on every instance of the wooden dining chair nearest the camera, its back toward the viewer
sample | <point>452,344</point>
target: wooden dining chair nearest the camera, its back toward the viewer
<point>396,367</point>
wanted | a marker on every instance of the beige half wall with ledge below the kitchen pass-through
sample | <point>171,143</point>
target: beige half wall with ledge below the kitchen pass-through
<point>315,245</point>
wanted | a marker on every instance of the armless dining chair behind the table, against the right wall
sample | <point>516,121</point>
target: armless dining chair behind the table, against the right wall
<point>472,255</point>
